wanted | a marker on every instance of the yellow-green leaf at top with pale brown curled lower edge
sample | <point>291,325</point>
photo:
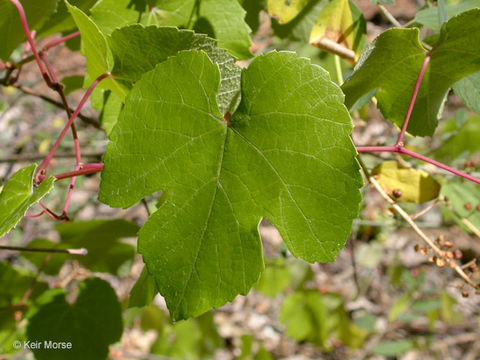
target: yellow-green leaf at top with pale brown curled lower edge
<point>340,29</point>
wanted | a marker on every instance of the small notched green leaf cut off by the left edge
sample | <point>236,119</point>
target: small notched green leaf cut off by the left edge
<point>18,195</point>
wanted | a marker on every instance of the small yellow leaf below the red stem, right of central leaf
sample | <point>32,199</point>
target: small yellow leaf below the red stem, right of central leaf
<point>406,184</point>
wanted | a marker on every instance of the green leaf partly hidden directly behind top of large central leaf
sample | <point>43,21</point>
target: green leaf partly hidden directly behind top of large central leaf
<point>137,50</point>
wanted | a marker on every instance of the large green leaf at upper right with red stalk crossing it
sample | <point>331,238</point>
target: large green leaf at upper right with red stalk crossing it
<point>393,63</point>
